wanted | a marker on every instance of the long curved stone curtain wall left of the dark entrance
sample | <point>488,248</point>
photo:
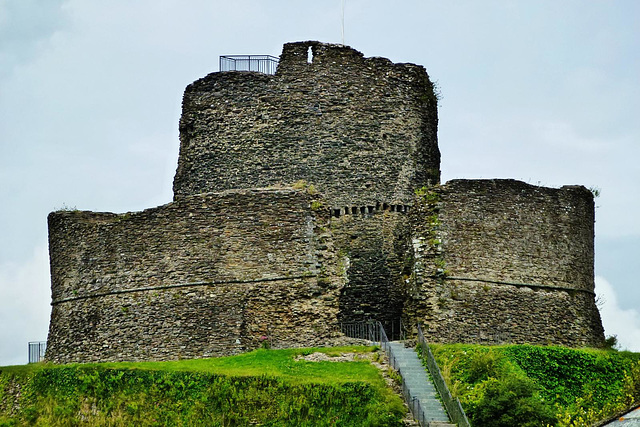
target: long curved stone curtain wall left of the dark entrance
<point>206,275</point>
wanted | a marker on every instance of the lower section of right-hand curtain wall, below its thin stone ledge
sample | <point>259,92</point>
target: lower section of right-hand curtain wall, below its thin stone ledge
<point>498,314</point>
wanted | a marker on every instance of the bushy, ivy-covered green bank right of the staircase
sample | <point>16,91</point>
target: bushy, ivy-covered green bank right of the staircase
<point>534,386</point>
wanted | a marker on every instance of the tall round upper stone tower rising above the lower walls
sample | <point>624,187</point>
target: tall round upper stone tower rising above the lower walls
<point>359,129</point>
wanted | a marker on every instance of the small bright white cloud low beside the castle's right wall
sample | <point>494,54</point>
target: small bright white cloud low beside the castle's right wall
<point>625,324</point>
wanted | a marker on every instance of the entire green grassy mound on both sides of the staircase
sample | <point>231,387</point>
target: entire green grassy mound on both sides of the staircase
<point>516,385</point>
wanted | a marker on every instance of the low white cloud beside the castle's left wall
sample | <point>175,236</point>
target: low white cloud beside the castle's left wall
<point>25,296</point>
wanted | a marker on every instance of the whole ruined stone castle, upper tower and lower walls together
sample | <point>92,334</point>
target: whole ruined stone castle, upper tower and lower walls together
<point>311,198</point>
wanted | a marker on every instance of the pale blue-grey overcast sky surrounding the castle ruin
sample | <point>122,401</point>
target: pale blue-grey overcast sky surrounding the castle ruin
<point>544,91</point>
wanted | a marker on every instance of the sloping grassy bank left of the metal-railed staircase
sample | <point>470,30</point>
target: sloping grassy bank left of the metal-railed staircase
<point>264,387</point>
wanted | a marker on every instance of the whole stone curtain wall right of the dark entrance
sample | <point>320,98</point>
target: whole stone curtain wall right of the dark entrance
<point>503,261</point>
